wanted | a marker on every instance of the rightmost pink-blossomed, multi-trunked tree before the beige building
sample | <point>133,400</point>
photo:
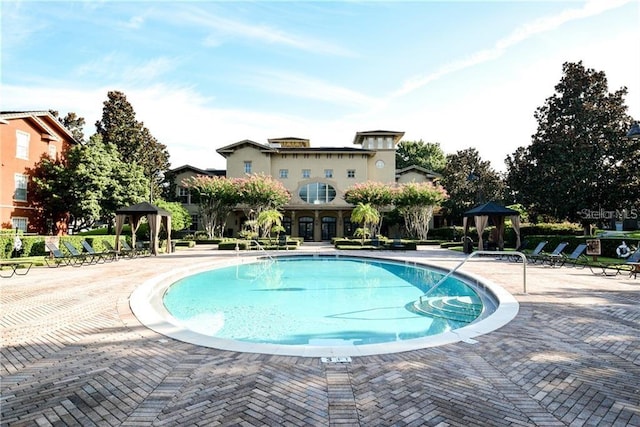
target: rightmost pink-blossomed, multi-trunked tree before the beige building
<point>416,202</point>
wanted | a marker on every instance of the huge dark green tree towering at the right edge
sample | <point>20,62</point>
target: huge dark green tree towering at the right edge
<point>579,159</point>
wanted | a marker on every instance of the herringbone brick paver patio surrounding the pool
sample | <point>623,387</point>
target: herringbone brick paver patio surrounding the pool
<point>74,354</point>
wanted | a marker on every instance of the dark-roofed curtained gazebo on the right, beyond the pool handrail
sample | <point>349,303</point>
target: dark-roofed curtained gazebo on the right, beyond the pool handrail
<point>494,214</point>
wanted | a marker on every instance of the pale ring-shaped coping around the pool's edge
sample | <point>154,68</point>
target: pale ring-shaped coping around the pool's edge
<point>146,304</point>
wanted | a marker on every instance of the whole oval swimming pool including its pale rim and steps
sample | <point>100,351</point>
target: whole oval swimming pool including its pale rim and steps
<point>317,305</point>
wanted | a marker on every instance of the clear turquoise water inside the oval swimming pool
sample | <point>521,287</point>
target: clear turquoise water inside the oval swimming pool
<point>314,301</point>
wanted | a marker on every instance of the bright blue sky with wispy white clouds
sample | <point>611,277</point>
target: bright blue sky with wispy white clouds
<point>201,75</point>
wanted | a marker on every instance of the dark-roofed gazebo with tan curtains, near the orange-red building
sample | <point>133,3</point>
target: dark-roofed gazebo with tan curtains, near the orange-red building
<point>155,217</point>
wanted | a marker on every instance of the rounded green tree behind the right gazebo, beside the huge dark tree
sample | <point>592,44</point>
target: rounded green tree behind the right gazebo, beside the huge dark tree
<point>469,181</point>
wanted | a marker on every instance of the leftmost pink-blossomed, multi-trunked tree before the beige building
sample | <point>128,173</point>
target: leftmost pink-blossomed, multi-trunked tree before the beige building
<point>216,197</point>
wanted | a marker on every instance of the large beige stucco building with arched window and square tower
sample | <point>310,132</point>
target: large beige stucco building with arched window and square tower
<point>315,177</point>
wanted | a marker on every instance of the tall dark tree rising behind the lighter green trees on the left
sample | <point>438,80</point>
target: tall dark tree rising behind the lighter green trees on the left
<point>133,140</point>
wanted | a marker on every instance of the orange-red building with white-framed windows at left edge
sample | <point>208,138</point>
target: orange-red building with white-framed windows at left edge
<point>25,136</point>
